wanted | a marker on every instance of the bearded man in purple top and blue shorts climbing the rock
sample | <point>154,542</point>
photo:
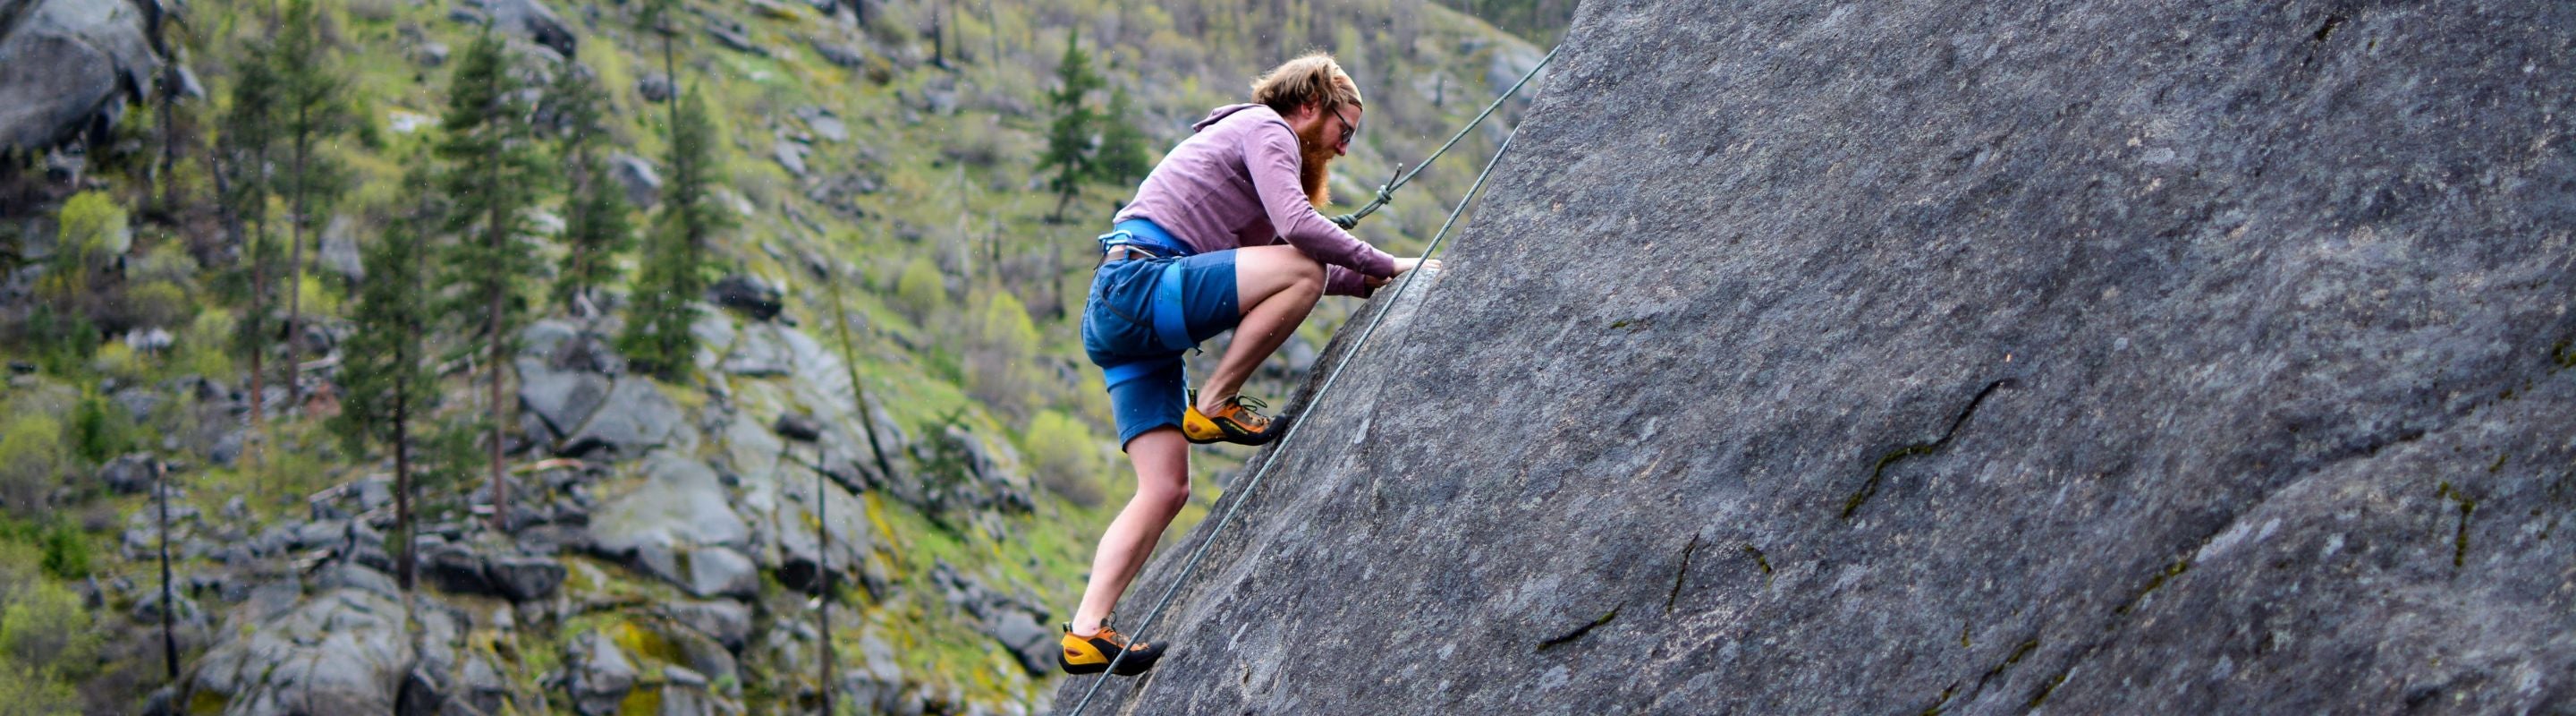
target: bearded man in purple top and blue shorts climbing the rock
<point>1222,236</point>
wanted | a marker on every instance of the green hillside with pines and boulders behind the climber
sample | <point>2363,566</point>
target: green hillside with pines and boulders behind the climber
<point>692,346</point>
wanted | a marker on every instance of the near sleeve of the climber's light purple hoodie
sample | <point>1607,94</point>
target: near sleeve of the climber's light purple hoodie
<point>1274,164</point>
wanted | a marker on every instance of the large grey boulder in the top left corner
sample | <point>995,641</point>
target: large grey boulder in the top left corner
<point>68,68</point>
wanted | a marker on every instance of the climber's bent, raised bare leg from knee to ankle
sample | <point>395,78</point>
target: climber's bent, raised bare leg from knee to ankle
<point>1274,287</point>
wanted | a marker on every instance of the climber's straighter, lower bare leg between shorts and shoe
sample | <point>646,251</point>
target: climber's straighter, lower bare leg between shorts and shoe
<point>1163,485</point>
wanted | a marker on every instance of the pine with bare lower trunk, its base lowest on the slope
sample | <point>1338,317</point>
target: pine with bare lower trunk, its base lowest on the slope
<point>388,380</point>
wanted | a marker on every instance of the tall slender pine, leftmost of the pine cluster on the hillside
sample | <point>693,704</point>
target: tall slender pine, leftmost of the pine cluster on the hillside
<point>243,187</point>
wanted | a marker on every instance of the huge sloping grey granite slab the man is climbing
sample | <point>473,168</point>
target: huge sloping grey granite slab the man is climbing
<point>1895,359</point>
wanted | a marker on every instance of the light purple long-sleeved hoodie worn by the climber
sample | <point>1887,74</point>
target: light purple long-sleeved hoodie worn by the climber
<point>1235,184</point>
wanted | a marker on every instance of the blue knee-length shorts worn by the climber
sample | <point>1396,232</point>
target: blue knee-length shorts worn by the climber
<point>1119,331</point>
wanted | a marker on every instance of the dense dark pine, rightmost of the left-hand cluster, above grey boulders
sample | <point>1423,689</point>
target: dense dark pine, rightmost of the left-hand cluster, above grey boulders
<point>676,259</point>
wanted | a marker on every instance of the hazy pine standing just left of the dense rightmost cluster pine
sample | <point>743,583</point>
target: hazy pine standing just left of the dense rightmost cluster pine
<point>596,231</point>
